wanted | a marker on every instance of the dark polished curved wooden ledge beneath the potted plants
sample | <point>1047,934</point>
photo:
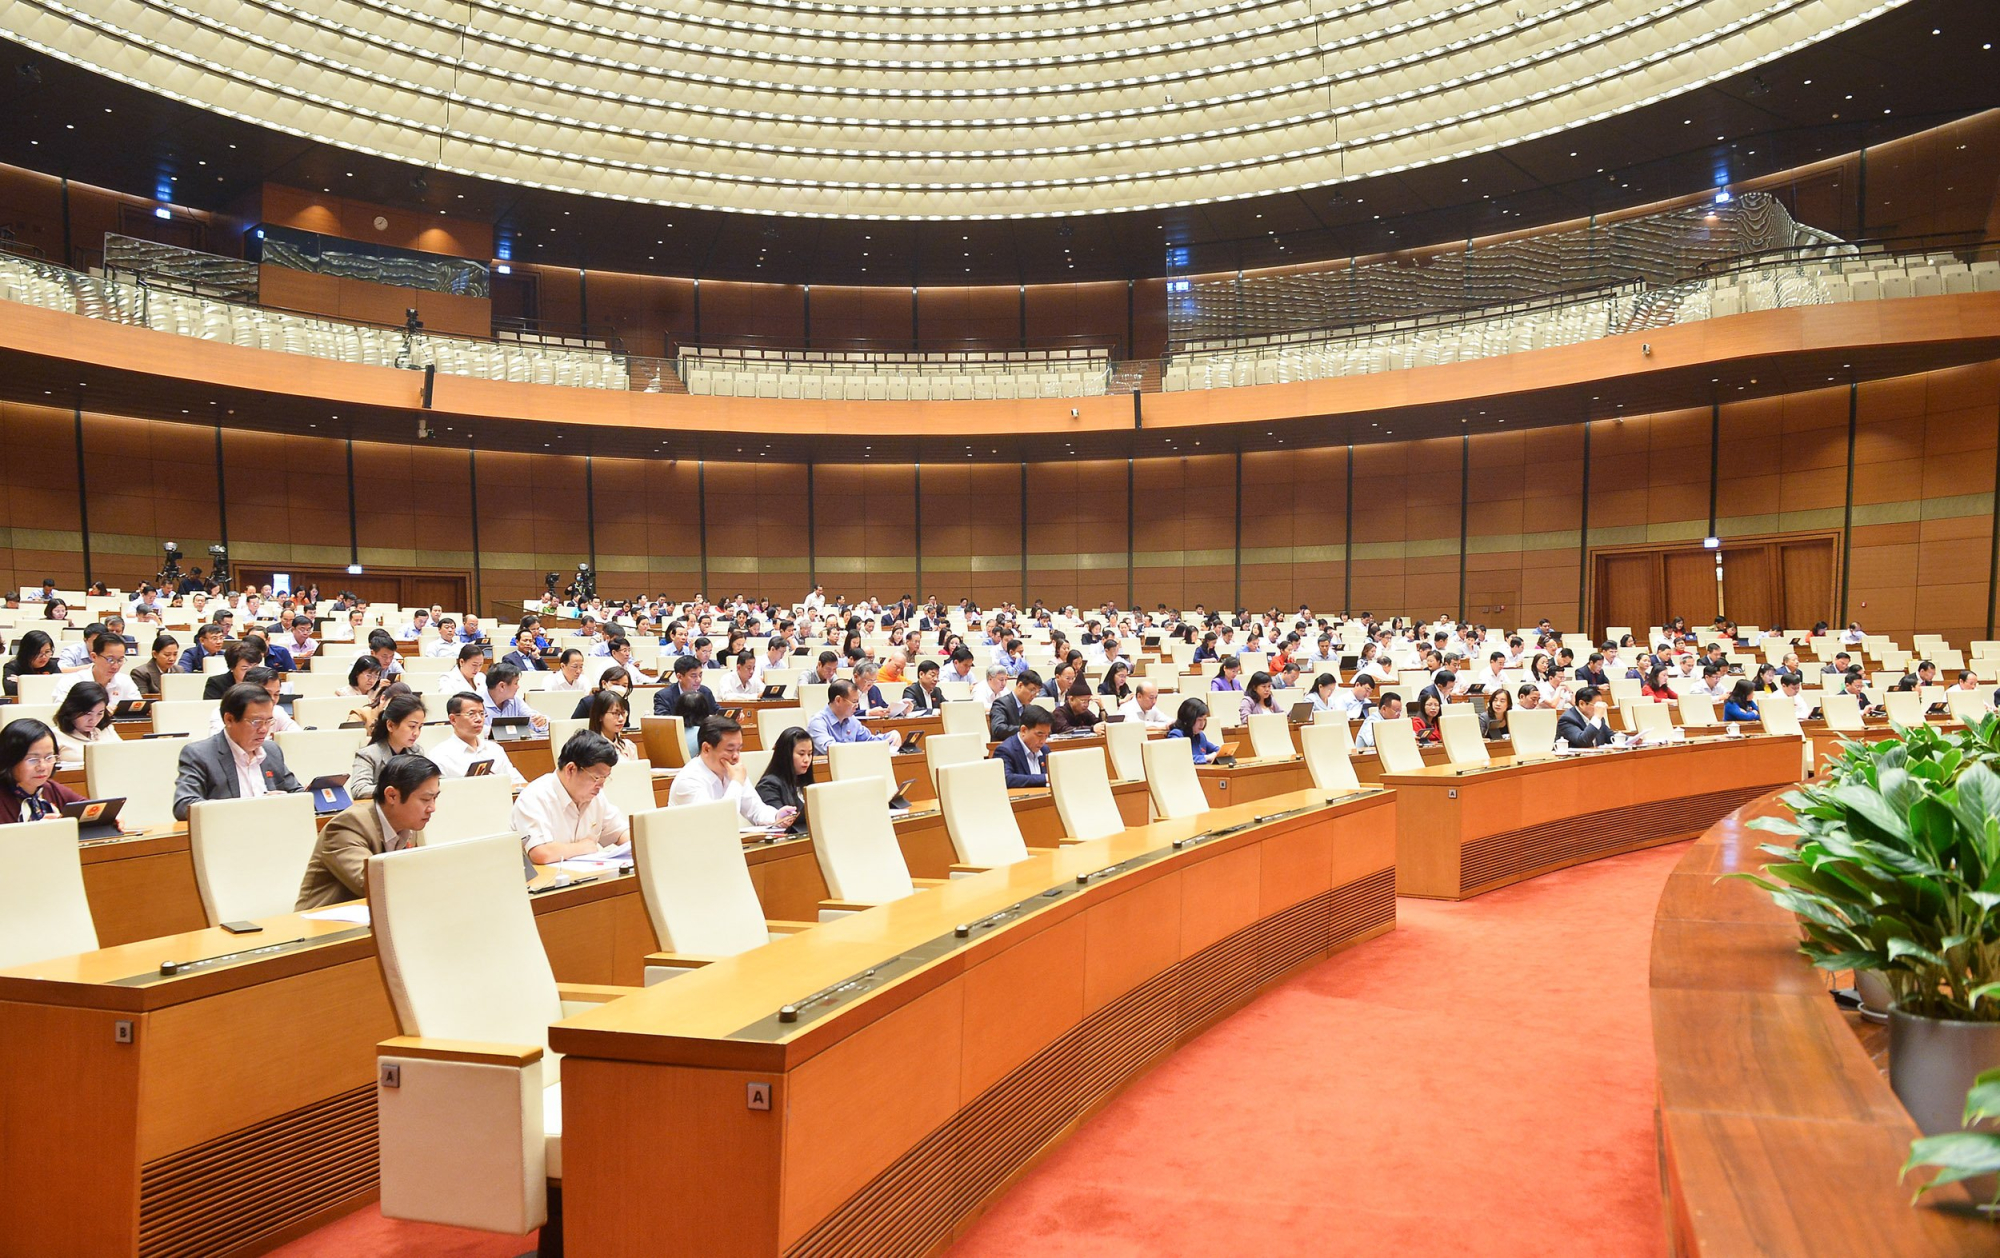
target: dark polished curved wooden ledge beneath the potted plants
<point>1777,1131</point>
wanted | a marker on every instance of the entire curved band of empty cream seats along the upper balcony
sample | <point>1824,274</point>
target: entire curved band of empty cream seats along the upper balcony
<point>1799,277</point>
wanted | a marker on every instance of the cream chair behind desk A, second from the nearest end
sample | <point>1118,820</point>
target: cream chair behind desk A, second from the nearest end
<point>697,889</point>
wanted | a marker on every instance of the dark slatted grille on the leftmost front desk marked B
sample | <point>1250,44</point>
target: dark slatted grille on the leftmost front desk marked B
<point>225,1195</point>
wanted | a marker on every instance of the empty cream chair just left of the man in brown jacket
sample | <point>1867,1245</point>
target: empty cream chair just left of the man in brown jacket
<point>251,855</point>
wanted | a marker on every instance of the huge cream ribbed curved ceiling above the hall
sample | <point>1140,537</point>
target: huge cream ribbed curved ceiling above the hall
<point>925,113</point>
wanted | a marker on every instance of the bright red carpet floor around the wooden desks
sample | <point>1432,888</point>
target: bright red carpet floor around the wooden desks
<point>1475,1083</point>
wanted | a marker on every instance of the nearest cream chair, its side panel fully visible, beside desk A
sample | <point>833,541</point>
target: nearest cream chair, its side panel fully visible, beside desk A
<point>469,1099</point>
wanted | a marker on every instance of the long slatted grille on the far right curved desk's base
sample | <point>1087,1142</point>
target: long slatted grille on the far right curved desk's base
<point>1501,859</point>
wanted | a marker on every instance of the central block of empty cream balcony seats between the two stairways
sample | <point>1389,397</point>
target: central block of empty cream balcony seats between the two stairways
<point>873,377</point>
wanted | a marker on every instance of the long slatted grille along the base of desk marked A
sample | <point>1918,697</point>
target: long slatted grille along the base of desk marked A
<point>915,1205</point>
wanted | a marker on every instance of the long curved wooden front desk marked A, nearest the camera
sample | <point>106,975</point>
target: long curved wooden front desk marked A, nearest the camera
<point>933,1069</point>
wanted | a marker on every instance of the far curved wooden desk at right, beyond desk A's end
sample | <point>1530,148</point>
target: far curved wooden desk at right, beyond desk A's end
<point>1463,833</point>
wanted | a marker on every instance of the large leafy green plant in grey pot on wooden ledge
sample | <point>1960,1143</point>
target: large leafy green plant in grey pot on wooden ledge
<point>1895,871</point>
